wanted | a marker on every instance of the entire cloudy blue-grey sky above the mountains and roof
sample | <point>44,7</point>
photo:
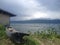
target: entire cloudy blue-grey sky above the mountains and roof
<point>32,9</point>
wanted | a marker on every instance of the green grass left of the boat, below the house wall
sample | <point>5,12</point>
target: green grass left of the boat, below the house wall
<point>4,40</point>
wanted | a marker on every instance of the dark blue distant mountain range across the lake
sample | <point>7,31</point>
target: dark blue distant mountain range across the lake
<point>38,21</point>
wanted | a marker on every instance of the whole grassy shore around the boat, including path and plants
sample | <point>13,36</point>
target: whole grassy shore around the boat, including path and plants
<point>47,37</point>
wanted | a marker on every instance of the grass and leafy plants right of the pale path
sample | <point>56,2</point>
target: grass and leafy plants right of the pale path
<point>47,37</point>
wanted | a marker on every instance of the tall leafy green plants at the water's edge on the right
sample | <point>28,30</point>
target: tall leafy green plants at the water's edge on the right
<point>47,34</point>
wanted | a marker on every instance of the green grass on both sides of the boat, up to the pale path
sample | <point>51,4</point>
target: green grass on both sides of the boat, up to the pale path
<point>4,40</point>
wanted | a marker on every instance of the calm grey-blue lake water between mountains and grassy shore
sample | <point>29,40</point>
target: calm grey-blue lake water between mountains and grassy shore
<point>25,28</point>
